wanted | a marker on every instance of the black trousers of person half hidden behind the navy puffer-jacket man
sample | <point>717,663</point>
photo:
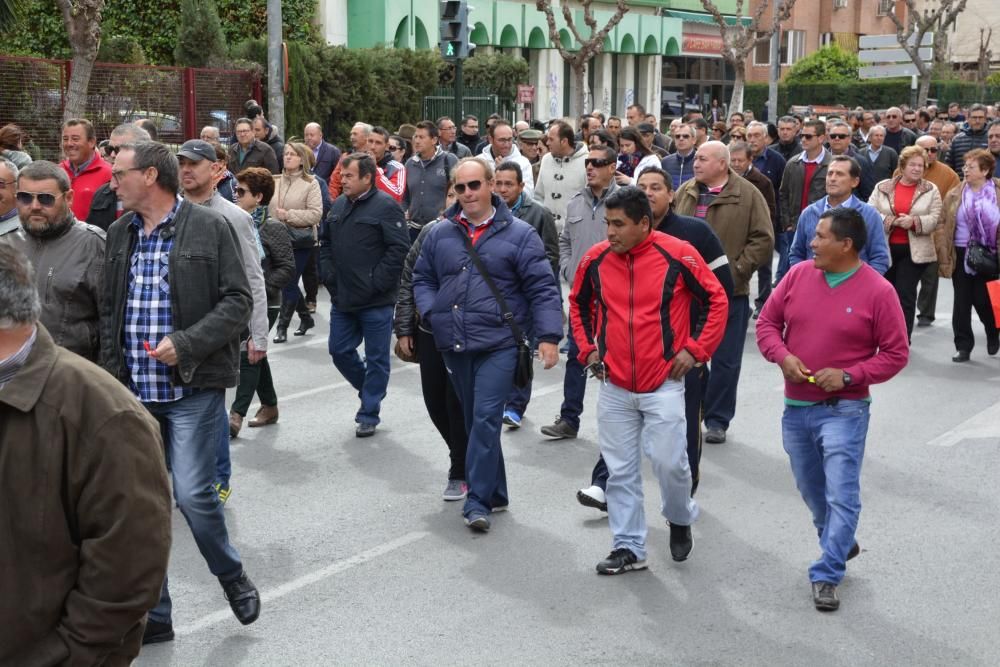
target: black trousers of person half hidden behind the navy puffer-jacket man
<point>442,402</point>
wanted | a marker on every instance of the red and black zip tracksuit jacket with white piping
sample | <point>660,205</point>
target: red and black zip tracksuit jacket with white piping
<point>634,309</point>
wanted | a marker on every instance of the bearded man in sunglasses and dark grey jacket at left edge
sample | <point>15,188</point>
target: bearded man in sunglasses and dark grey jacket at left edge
<point>68,257</point>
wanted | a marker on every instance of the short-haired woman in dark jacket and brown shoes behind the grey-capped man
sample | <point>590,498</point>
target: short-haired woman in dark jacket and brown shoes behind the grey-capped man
<point>254,190</point>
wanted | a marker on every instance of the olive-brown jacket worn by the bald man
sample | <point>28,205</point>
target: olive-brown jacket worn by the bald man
<point>739,215</point>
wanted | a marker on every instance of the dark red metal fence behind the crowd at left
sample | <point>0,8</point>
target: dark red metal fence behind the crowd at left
<point>179,100</point>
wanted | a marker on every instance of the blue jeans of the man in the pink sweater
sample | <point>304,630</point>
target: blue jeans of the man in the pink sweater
<point>825,445</point>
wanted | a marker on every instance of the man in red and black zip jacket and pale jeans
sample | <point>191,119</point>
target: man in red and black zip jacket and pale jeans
<point>631,314</point>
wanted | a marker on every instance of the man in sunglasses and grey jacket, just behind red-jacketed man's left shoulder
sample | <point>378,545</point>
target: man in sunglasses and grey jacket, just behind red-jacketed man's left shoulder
<point>584,228</point>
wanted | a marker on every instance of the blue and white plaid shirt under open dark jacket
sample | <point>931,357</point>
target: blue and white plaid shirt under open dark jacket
<point>148,317</point>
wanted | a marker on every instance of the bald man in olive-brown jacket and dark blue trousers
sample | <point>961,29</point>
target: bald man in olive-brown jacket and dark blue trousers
<point>737,212</point>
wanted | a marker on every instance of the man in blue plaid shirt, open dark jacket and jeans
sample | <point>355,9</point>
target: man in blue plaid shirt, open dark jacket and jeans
<point>176,299</point>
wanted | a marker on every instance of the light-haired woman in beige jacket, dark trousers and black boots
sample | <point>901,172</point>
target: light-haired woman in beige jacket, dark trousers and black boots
<point>298,203</point>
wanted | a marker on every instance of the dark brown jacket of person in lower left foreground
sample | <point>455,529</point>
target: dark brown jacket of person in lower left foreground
<point>84,514</point>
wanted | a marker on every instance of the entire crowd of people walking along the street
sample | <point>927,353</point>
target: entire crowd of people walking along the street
<point>634,248</point>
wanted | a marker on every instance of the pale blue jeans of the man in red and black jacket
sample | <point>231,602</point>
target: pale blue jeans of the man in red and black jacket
<point>628,425</point>
